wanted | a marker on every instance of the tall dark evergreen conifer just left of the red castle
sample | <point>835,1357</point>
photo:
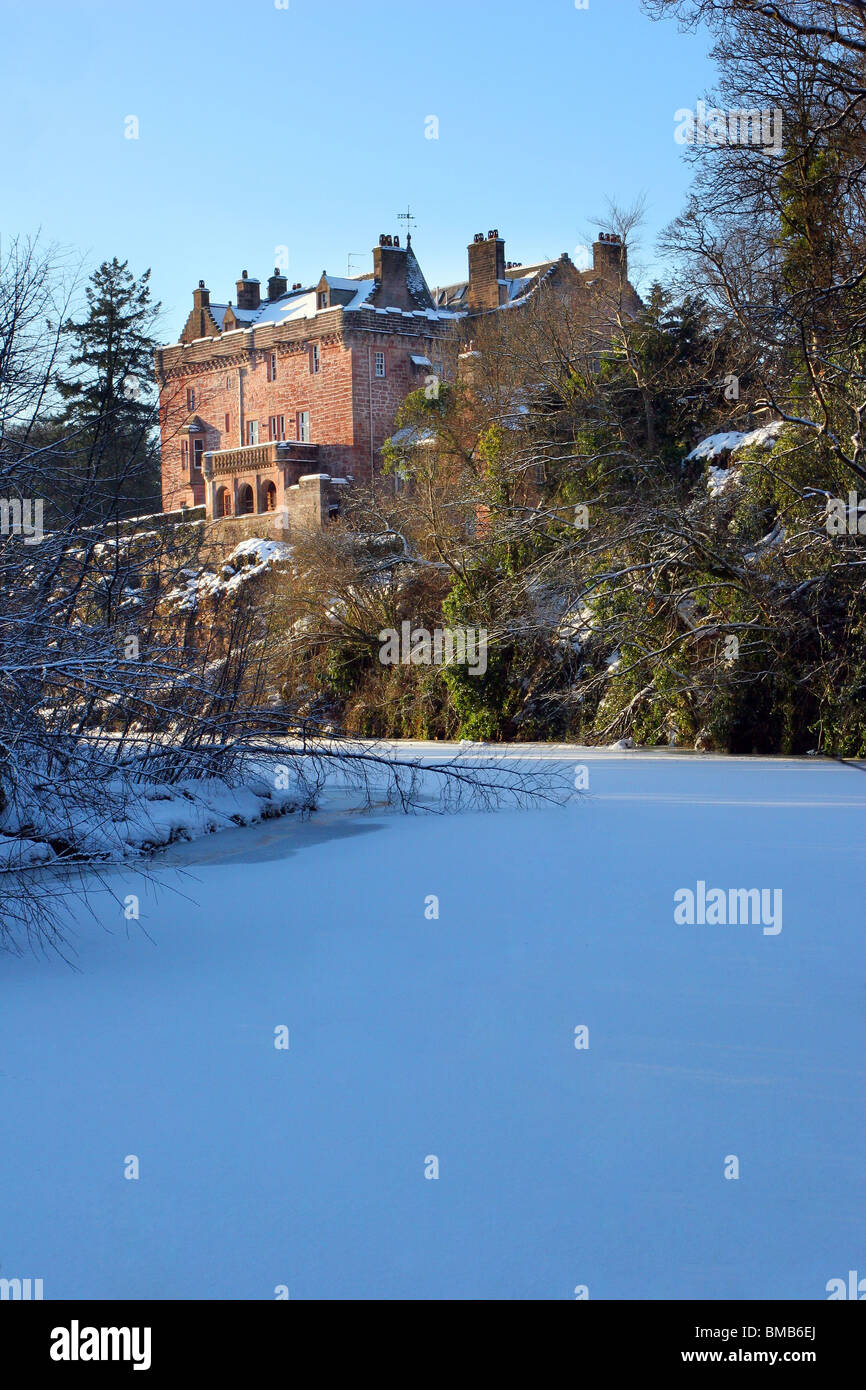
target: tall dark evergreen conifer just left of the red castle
<point>111,394</point>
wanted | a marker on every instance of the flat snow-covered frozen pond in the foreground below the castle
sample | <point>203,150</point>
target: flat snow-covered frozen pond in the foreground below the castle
<point>414,1038</point>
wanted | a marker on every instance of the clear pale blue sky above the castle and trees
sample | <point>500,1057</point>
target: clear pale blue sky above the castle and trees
<point>305,129</point>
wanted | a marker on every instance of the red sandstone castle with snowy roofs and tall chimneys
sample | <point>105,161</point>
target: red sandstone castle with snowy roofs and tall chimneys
<point>276,405</point>
